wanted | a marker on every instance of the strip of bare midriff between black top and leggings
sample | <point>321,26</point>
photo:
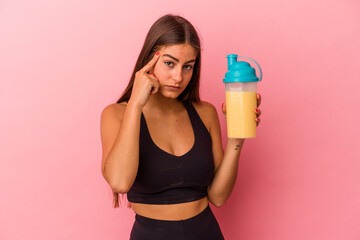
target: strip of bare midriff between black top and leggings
<point>179,211</point>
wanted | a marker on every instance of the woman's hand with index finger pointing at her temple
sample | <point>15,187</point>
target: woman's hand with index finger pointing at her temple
<point>145,83</point>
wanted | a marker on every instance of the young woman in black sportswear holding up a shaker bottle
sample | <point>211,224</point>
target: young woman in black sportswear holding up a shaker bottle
<point>162,145</point>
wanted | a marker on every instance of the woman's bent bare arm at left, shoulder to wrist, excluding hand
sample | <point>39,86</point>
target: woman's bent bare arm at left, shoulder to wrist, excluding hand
<point>120,129</point>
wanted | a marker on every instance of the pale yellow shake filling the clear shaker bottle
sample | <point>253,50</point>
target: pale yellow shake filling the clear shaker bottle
<point>240,115</point>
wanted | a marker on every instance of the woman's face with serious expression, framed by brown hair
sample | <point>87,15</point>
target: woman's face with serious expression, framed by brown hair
<point>174,69</point>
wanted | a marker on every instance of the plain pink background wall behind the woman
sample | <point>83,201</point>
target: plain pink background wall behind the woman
<point>62,62</point>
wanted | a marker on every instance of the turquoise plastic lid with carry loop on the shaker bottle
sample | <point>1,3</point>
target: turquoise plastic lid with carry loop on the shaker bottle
<point>239,71</point>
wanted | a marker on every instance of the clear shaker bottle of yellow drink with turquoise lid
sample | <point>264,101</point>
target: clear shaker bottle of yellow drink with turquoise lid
<point>241,100</point>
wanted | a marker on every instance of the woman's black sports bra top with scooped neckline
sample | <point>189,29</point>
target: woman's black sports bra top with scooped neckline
<point>164,178</point>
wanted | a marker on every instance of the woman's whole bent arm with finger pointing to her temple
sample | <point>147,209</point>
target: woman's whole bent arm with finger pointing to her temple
<point>120,131</point>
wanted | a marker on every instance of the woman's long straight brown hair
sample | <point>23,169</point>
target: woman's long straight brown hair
<point>167,30</point>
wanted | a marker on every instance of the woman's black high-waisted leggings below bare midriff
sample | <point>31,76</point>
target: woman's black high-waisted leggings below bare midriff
<point>203,226</point>
